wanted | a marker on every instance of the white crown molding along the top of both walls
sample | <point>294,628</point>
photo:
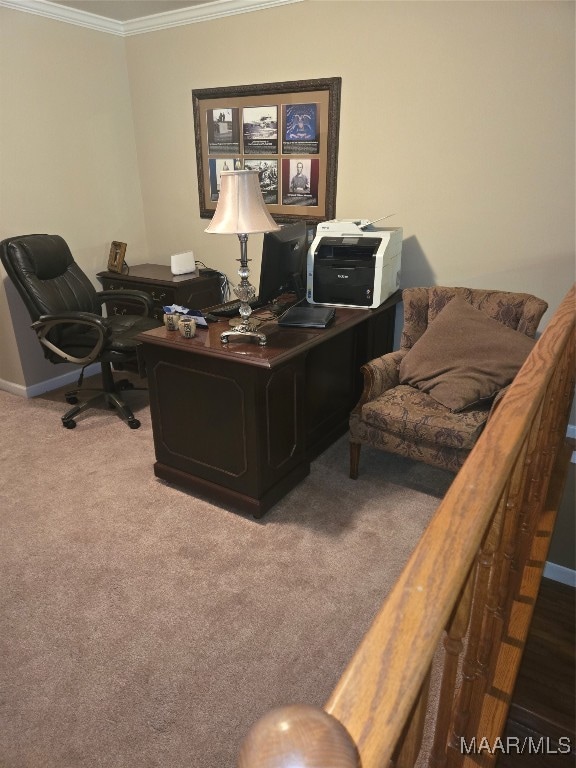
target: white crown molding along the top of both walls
<point>206,12</point>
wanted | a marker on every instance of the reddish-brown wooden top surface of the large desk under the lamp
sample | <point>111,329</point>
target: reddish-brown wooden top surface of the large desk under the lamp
<point>283,343</point>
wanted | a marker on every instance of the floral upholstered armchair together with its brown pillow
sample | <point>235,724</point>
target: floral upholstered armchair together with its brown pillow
<point>460,349</point>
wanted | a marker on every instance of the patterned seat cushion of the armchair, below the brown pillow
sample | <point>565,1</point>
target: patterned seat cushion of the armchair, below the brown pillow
<point>415,416</point>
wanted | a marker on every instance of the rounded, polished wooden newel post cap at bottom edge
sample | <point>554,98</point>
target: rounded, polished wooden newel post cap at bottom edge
<point>298,736</point>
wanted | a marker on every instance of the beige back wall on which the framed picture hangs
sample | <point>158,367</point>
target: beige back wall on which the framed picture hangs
<point>456,116</point>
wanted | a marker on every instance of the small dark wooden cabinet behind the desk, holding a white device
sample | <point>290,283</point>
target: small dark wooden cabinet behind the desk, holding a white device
<point>195,290</point>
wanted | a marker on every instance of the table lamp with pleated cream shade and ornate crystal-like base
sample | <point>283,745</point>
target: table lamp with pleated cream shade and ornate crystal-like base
<point>241,211</point>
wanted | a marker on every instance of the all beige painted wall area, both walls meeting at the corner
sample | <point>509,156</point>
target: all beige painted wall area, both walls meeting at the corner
<point>457,117</point>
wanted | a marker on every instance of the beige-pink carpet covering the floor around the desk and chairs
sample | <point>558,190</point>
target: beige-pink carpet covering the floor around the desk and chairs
<point>142,627</point>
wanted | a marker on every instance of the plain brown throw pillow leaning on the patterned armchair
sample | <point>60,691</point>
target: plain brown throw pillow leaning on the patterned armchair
<point>464,356</point>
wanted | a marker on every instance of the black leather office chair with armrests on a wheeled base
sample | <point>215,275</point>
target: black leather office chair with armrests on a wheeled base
<point>66,311</point>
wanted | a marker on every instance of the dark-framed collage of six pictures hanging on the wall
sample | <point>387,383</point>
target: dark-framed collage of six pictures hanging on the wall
<point>287,131</point>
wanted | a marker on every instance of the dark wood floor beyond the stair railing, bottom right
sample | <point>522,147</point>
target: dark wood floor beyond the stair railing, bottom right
<point>543,704</point>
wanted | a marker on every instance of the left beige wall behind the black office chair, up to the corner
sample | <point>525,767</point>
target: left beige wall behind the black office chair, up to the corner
<point>67,160</point>
